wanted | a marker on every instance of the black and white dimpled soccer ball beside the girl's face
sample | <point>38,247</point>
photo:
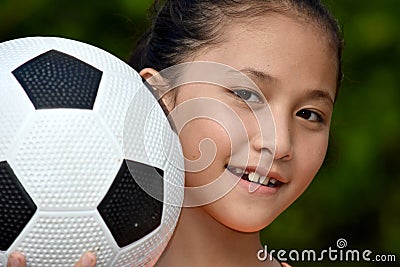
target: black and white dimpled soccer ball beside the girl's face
<point>88,159</point>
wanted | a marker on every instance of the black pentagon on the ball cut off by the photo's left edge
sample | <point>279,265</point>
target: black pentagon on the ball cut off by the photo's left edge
<point>16,207</point>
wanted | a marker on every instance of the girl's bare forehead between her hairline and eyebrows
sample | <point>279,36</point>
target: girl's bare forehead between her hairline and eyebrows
<point>288,49</point>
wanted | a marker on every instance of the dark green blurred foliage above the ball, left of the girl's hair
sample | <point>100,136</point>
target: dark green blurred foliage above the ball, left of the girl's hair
<point>110,25</point>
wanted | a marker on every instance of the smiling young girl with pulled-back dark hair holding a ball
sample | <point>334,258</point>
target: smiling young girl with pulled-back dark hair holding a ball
<point>290,49</point>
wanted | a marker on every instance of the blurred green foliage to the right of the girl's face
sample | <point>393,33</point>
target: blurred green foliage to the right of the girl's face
<point>356,195</point>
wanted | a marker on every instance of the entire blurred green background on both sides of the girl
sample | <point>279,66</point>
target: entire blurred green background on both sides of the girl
<point>356,195</point>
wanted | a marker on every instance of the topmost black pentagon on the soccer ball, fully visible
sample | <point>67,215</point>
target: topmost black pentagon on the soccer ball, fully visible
<point>58,80</point>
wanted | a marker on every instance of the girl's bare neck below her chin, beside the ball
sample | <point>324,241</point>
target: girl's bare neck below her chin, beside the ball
<point>199,240</point>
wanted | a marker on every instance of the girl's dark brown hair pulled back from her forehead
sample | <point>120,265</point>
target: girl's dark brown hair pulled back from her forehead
<point>180,28</point>
